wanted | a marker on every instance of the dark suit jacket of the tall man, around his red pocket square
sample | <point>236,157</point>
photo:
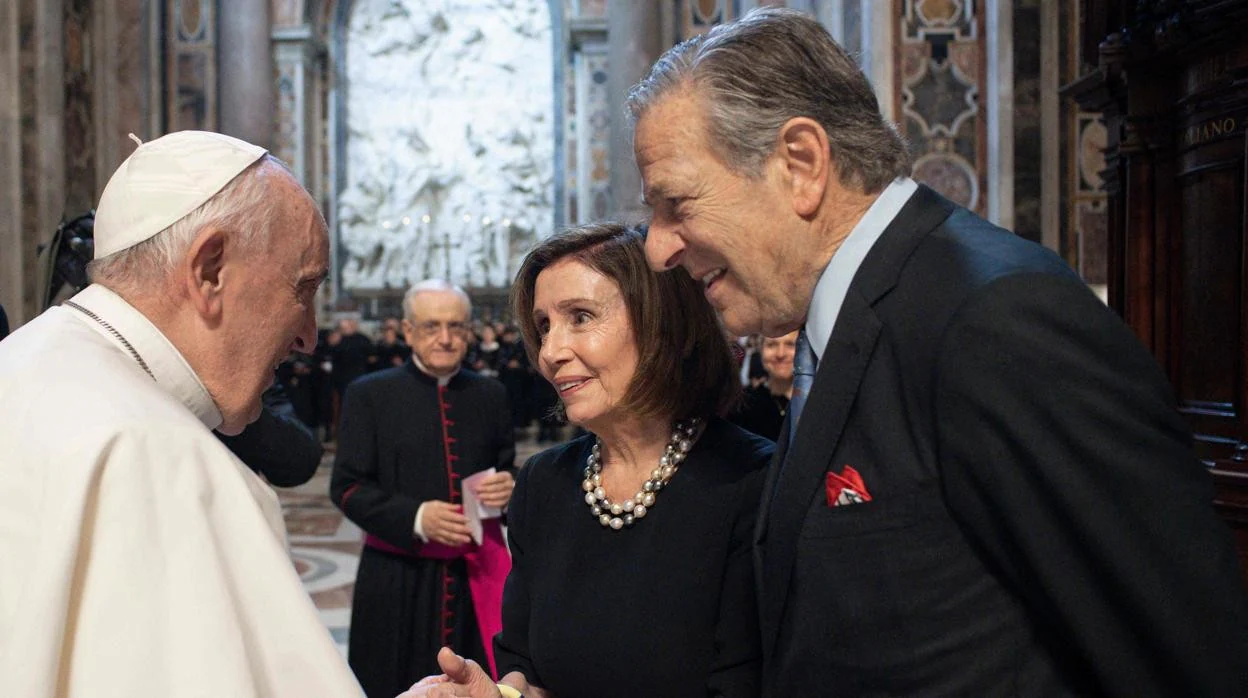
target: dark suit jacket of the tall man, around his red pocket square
<point>1039,525</point>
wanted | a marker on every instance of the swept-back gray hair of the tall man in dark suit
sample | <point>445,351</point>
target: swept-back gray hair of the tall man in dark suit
<point>773,66</point>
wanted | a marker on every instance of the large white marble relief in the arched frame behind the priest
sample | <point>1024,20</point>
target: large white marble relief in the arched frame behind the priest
<point>451,142</point>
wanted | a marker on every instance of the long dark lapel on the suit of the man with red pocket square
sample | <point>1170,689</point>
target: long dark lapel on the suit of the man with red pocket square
<point>798,469</point>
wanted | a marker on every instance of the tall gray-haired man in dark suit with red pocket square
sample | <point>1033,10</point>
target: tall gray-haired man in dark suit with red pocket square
<point>989,491</point>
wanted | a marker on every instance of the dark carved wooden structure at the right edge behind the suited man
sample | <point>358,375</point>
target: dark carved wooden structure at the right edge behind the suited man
<point>1172,84</point>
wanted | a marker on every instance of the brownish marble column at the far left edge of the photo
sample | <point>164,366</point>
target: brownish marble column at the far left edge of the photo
<point>33,168</point>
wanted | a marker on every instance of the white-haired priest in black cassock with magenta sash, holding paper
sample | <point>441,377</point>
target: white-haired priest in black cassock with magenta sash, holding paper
<point>409,436</point>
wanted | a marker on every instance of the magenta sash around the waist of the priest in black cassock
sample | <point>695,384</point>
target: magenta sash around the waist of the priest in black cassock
<point>489,566</point>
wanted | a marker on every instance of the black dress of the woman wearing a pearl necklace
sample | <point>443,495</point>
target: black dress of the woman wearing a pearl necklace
<point>663,609</point>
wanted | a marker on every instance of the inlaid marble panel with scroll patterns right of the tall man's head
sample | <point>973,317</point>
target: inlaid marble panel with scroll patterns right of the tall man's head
<point>940,59</point>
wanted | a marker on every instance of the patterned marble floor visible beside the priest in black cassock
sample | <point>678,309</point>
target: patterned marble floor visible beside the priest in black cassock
<point>325,546</point>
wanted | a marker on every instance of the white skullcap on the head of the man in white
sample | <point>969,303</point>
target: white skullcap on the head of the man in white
<point>164,180</point>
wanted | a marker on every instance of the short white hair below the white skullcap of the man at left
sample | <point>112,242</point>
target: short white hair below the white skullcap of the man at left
<point>246,207</point>
